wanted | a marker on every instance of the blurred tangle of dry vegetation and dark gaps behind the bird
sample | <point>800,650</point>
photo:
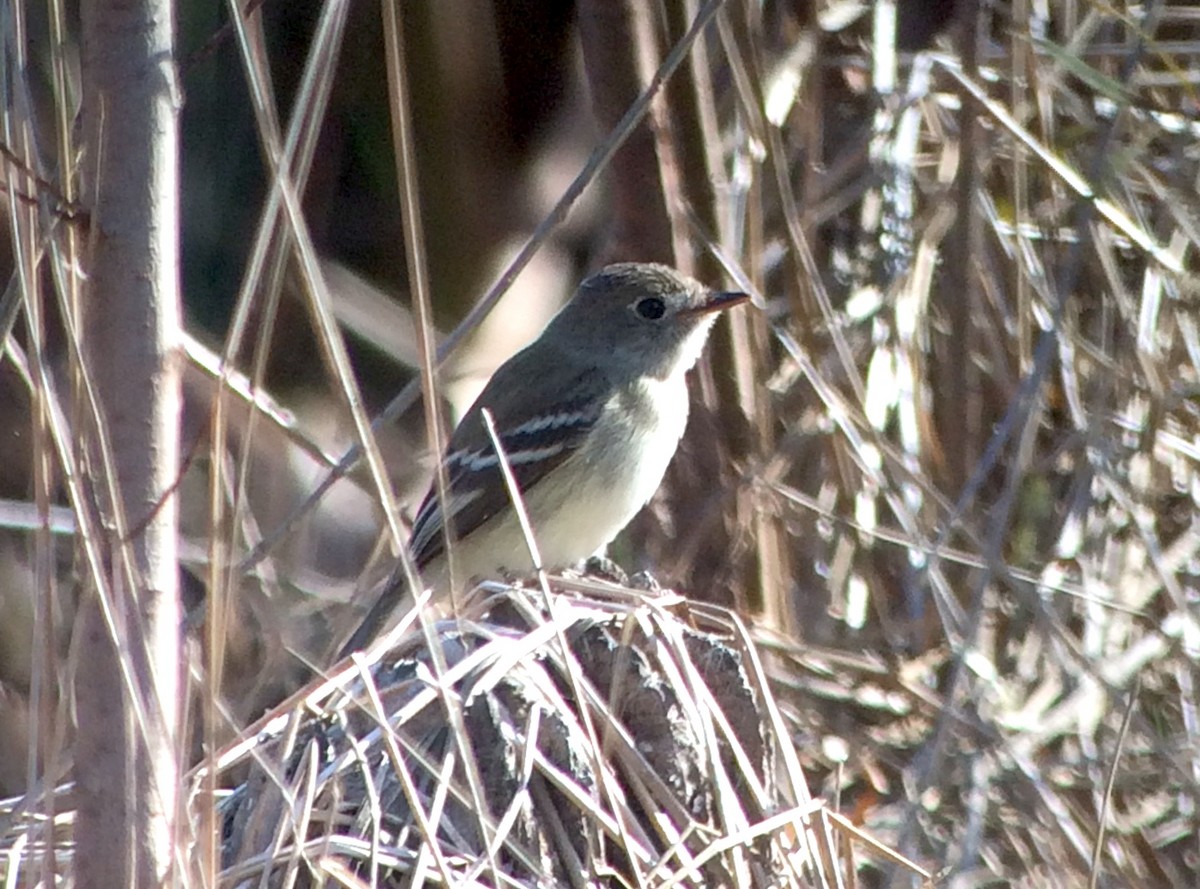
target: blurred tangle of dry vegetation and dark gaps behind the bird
<point>950,468</point>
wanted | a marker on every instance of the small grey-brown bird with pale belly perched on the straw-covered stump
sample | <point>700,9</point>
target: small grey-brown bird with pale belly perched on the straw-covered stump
<point>590,416</point>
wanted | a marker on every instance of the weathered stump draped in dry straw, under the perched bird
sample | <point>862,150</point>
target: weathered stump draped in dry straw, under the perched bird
<point>479,753</point>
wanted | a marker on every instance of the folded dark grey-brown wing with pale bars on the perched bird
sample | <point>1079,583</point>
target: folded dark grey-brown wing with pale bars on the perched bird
<point>542,416</point>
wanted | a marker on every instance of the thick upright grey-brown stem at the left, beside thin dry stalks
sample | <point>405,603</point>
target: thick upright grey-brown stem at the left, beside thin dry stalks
<point>128,684</point>
